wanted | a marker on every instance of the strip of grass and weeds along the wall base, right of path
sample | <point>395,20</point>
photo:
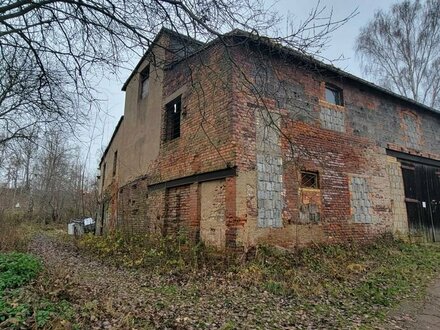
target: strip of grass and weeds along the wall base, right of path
<point>337,286</point>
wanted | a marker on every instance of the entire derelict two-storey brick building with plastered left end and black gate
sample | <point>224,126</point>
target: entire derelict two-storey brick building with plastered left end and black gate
<point>241,141</point>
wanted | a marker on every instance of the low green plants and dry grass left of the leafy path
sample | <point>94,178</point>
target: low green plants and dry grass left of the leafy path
<point>30,297</point>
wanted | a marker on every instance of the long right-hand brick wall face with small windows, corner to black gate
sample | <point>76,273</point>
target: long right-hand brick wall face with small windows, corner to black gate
<point>360,193</point>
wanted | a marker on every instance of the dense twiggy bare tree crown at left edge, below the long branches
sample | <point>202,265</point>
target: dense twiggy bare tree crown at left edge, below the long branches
<point>31,98</point>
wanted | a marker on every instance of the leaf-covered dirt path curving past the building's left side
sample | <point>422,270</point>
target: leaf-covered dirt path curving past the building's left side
<point>115,298</point>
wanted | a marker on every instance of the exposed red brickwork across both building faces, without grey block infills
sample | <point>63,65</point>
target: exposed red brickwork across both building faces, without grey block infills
<point>218,130</point>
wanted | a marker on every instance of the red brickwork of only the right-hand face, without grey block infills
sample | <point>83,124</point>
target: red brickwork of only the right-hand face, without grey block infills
<point>337,156</point>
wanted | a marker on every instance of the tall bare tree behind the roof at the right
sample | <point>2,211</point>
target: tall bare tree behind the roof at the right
<point>400,49</point>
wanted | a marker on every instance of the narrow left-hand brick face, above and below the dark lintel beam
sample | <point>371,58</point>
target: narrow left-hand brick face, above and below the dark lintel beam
<point>205,144</point>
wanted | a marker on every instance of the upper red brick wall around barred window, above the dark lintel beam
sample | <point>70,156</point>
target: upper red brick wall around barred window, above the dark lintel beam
<point>205,143</point>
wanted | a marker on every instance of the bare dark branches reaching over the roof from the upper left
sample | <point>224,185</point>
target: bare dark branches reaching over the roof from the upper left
<point>51,49</point>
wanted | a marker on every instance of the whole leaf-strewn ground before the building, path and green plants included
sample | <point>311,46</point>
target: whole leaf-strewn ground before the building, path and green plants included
<point>174,283</point>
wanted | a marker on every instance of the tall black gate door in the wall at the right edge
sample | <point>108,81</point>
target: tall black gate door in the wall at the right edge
<point>422,197</point>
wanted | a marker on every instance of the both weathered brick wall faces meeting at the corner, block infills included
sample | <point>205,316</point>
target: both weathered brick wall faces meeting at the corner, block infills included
<point>272,124</point>
